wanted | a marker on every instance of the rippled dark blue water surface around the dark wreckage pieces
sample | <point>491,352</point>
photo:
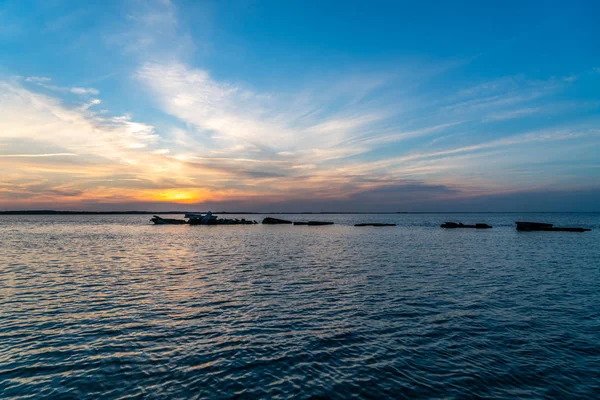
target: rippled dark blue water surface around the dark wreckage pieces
<point>111,307</point>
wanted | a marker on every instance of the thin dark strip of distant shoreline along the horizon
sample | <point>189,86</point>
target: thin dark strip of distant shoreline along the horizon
<point>54,212</point>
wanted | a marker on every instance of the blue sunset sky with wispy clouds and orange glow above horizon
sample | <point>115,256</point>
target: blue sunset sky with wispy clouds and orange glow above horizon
<point>300,105</point>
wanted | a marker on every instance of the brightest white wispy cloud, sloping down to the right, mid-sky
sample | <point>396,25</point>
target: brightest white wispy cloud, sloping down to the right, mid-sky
<point>230,117</point>
